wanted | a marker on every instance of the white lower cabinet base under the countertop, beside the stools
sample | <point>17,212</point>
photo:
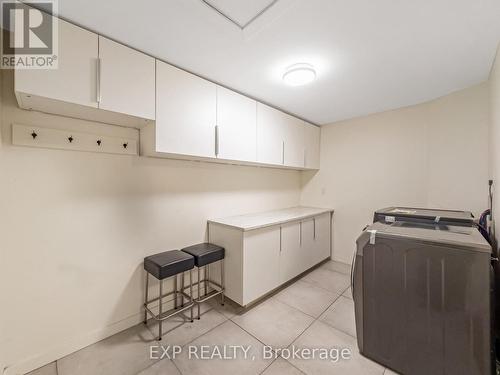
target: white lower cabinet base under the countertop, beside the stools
<point>258,261</point>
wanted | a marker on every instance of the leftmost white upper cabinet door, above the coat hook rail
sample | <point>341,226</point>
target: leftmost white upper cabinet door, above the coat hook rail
<point>75,79</point>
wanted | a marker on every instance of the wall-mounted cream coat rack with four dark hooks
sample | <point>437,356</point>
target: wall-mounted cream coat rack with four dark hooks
<point>33,136</point>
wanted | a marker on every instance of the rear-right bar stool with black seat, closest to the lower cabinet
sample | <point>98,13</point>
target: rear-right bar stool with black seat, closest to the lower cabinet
<point>204,255</point>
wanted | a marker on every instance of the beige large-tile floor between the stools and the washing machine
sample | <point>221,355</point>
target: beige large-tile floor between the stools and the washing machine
<point>313,312</point>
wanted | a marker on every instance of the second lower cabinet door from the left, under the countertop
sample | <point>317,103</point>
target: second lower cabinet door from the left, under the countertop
<point>291,252</point>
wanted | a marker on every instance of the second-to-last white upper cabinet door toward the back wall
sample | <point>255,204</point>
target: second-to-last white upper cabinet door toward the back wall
<point>294,153</point>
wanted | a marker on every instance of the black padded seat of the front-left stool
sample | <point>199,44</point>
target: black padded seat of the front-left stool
<point>168,263</point>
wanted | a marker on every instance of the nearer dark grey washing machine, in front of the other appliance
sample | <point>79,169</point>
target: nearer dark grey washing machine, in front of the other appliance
<point>422,298</point>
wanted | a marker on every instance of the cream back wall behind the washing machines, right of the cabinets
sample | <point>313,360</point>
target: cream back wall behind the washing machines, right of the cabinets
<point>430,155</point>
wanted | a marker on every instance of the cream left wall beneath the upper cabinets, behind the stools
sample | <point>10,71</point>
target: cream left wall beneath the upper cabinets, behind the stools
<point>74,229</point>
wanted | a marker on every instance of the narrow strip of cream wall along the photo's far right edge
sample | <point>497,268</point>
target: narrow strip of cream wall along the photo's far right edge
<point>495,139</point>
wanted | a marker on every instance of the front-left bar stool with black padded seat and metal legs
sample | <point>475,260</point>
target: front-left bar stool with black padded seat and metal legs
<point>162,266</point>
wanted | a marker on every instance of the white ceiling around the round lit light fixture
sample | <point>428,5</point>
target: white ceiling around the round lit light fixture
<point>370,55</point>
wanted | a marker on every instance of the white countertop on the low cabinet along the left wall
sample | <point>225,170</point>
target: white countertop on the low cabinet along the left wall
<point>269,218</point>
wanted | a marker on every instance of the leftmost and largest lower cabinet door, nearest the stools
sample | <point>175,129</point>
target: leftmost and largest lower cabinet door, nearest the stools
<point>261,262</point>
